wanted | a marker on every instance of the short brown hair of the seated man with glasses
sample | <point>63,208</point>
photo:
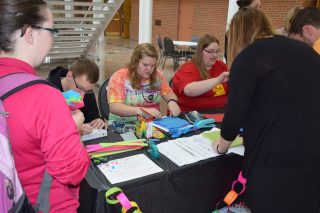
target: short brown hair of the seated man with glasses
<point>85,67</point>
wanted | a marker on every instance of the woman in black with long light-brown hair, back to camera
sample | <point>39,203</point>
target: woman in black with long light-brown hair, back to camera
<point>274,94</point>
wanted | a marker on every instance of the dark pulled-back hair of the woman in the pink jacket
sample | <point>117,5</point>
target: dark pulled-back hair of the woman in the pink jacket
<point>17,14</point>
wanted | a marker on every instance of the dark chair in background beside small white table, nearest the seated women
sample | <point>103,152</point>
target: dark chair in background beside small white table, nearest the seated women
<point>170,52</point>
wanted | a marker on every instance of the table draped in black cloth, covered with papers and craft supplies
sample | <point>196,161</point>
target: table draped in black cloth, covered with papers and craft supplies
<point>192,188</point>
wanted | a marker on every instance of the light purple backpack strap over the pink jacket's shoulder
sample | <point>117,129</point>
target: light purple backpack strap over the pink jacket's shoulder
<point>17,81</point>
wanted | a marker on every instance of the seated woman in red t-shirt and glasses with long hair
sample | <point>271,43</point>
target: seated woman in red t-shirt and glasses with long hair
<point>201,83</point>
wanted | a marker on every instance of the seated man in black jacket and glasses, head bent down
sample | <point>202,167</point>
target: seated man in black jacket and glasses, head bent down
<point>82,76</point>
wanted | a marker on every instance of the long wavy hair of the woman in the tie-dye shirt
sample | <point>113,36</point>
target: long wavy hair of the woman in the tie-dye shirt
<point>142,50</point>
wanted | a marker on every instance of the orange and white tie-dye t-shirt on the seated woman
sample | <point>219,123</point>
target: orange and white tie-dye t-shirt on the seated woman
<point>120,91</point>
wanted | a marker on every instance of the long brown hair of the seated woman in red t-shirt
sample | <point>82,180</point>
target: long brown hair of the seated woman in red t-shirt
<point>203,43</point>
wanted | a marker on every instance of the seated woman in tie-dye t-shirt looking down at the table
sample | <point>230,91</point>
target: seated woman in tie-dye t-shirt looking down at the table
<point>139,86</point>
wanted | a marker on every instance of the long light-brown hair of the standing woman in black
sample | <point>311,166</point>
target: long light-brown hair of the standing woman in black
<point>247,26</point>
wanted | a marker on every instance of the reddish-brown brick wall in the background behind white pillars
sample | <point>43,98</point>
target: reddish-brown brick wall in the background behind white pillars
<point>209,16</point>
